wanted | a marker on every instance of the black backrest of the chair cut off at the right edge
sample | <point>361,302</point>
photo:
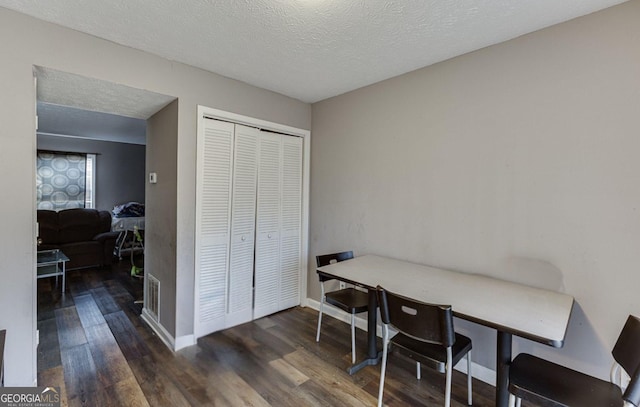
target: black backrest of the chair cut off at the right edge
<point>627,353</point>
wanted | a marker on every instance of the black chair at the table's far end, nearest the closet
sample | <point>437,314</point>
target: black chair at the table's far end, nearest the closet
<point>348,299</point>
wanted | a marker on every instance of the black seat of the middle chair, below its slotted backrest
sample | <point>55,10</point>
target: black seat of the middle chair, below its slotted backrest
<point>432,355</point>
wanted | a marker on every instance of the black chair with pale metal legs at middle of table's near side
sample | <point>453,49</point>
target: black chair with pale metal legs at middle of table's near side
<point>425,334</point>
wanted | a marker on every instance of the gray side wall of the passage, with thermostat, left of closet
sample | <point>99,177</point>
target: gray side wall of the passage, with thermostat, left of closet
<point>160,261</point>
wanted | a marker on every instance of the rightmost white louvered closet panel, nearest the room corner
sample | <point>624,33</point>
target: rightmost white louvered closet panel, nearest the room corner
<point>291,222</point>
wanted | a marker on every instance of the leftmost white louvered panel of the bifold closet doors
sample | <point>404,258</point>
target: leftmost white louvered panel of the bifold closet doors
<point>213,214</point>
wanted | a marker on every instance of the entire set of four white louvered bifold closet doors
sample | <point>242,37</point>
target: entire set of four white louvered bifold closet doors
<point>248,224</point>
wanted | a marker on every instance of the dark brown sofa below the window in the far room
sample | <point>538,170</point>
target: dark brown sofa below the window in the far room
<point>84,235</point>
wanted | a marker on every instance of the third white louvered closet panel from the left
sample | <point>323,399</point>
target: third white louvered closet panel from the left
<point>267,263</point>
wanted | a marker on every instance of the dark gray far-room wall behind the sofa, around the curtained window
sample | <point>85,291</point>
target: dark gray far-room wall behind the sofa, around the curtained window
<point>120,174</point>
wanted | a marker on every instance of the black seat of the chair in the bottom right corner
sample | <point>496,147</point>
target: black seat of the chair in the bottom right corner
<point>549,384</point>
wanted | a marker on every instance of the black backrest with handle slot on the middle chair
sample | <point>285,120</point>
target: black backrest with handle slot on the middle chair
<point>430,323</point>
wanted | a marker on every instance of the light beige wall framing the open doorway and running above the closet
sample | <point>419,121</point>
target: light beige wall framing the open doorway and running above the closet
<point>27,42</point>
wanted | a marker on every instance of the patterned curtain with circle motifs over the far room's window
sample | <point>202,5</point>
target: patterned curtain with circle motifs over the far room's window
<point>60,180</point>
